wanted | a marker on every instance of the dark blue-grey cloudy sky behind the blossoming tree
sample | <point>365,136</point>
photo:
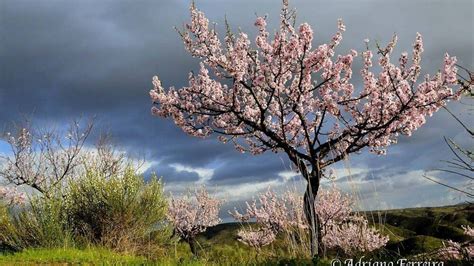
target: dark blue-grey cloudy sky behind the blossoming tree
<point>63,59</point>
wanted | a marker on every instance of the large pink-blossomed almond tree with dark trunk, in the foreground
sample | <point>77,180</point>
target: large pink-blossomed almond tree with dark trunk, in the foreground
<point>284,95</point>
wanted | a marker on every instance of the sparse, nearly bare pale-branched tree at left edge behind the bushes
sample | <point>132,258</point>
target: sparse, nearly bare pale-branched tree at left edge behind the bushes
<point>42,158</point>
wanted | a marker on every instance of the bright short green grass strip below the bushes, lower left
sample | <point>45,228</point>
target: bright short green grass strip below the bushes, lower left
<point>70,256</point>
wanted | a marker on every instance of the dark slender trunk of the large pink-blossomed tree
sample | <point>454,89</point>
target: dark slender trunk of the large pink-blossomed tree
<point>311,215</point>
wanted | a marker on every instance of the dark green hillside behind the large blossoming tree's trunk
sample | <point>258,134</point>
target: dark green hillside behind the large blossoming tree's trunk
<point>412,231</point>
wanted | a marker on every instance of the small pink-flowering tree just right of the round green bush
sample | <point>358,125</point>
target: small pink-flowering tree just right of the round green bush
<point>191,216</point>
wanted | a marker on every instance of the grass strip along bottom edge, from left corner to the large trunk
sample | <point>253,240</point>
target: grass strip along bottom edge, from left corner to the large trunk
<point>218,255</point>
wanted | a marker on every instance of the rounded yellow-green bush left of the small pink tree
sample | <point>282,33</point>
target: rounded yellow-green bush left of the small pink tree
<point>122,212</point>
